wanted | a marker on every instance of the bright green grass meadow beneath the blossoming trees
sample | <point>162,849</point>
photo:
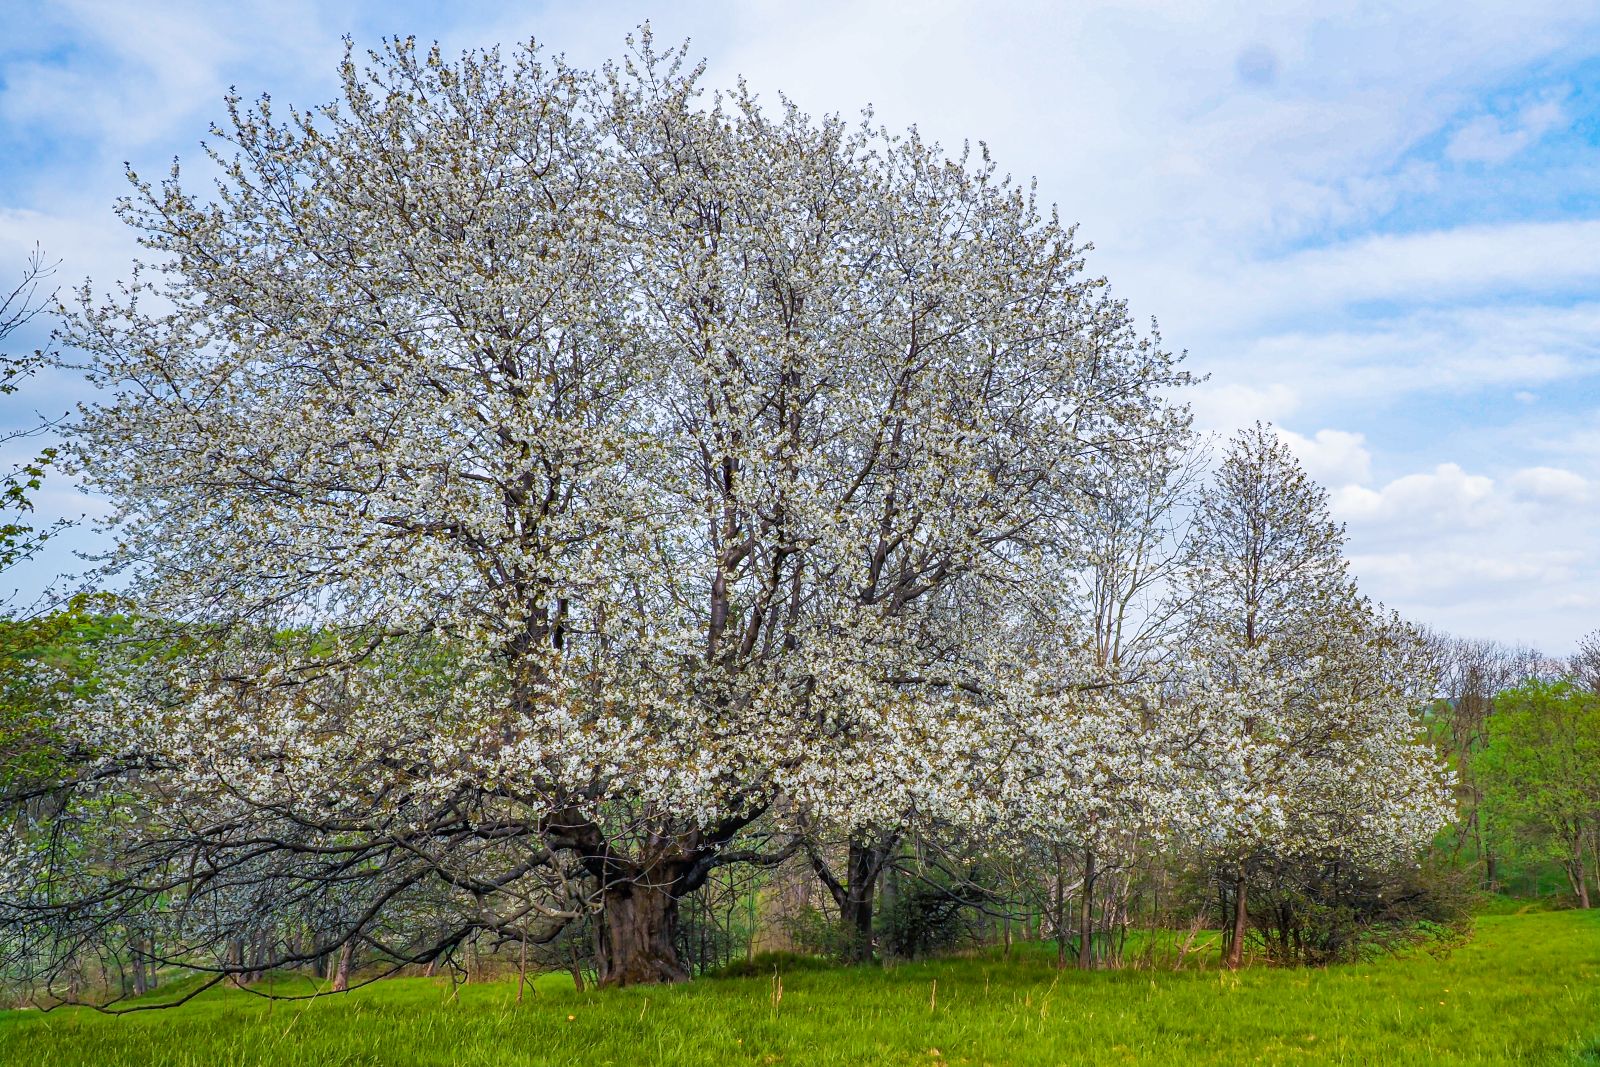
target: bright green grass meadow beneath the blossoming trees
<point>1524,991</point>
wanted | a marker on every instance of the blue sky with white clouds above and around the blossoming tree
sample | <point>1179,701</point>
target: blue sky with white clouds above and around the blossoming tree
<point>1377,230</point>
